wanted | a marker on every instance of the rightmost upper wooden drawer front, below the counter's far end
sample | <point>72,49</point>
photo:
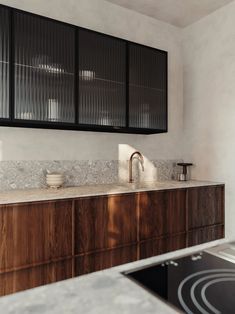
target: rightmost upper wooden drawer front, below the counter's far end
<point>205,206</point>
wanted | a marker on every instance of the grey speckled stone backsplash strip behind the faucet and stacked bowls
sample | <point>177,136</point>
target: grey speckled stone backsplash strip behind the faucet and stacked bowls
<point>31,174</point>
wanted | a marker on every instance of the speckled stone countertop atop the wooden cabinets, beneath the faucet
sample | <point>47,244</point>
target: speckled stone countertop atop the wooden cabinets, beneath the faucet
<point>32,195</point>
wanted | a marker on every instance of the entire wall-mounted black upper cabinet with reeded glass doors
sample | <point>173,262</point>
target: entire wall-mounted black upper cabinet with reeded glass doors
<point>56,75</point>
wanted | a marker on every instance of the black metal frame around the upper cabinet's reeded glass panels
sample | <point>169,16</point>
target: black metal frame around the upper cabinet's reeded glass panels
<point>12,122</point>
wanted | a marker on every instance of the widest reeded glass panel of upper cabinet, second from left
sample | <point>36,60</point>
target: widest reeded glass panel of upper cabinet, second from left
<point>44,69</point>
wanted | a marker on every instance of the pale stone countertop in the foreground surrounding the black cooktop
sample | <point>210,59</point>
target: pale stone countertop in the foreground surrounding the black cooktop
<point>103,292</point>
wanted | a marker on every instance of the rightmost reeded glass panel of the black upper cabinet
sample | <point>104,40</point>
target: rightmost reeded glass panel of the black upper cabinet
<point>147,88</point>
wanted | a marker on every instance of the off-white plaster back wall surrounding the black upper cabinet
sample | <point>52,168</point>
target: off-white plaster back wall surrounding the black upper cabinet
<point>35,144</point>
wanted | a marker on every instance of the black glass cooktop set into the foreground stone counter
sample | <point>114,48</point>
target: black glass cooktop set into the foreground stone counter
<point>201,283</point>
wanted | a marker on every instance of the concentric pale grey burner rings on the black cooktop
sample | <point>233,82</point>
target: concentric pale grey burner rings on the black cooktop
<point>220,273</point>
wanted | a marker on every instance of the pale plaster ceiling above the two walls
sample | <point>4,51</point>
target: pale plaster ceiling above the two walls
<point>176,12</point>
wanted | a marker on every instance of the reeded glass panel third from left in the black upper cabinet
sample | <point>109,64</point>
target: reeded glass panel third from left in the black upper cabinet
<point>102,92</point>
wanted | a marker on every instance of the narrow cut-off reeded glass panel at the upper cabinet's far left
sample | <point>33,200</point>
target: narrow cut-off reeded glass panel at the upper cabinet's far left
<point>4,63</point>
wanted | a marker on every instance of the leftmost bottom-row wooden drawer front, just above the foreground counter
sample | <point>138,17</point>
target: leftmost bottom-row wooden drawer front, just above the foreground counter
<point>33,277</point>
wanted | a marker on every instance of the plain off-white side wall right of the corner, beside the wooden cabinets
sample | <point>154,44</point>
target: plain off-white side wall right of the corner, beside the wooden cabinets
<point>209,102</point>
